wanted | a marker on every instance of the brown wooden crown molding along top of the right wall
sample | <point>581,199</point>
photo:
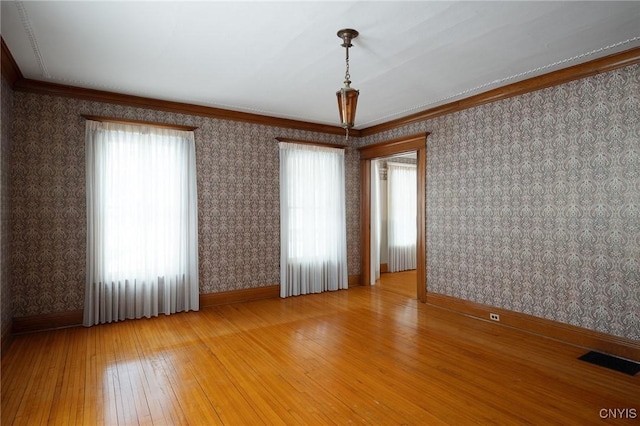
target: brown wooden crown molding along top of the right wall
<point>554,78</point>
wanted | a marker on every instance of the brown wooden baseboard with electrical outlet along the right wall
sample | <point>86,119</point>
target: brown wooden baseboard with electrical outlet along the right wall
<point>602,342</point>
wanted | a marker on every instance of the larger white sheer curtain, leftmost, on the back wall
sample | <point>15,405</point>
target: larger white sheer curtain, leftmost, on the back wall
<point>142,235</point>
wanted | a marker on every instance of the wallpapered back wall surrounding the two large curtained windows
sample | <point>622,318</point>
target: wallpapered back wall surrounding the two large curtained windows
<point>238,200</point>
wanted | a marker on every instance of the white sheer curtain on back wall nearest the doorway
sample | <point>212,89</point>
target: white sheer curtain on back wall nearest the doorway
<point>312,220</point>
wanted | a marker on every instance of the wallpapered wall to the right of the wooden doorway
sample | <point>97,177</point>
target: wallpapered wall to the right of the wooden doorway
<point>533,203</point>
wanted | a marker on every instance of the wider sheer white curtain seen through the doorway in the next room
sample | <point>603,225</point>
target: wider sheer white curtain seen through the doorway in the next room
<point>402,219</point>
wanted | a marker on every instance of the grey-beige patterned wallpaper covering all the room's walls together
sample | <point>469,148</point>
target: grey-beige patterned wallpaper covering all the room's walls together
<point>533,202</point>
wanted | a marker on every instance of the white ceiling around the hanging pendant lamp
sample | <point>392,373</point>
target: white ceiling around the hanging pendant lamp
<point>284,59</point>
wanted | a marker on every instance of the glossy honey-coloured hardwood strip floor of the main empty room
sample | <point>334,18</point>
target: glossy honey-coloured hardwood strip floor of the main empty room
<point>363,355</point>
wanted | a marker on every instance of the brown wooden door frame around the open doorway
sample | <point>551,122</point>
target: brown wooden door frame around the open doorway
<point>418,143</point>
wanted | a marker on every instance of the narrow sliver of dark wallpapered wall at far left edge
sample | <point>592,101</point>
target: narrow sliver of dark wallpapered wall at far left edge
<point>5,139</point>
